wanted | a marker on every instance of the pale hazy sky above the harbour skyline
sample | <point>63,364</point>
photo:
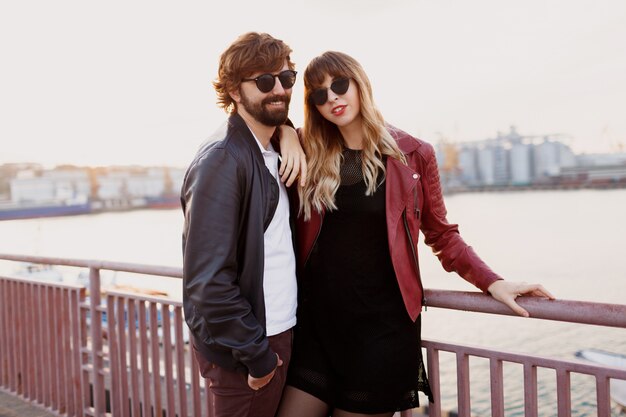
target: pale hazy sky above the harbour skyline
<point>129,82</point>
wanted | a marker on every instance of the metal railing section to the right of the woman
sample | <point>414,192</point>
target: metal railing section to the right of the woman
<point>612,315</point>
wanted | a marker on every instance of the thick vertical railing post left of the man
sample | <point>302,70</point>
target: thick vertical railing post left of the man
<point>97,355</point>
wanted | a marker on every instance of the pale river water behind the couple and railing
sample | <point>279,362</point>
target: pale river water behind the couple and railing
<point>572,242</point>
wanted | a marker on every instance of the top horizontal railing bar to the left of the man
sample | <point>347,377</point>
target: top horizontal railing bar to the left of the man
<point>165,271</point>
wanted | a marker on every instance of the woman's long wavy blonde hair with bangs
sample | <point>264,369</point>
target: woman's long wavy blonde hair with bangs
<point>322,140</point>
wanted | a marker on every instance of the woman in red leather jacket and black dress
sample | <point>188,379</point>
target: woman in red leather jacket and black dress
<point>371,188</point>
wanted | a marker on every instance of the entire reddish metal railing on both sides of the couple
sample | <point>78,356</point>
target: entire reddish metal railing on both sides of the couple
<point>65,348</point>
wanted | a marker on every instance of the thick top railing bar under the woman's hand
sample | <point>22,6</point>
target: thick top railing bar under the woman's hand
<point>600,314</point>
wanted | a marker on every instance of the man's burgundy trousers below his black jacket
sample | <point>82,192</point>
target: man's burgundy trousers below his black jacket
<point>230,395</point>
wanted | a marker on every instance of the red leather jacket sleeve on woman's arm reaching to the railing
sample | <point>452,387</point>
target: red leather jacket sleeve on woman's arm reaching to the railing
<point>444,238</point>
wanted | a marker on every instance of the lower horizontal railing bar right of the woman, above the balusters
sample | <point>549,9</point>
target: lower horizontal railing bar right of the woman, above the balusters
<point>525,359</point>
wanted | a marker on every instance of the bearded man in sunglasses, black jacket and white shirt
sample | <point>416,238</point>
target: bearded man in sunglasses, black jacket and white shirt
<point>238,259</point>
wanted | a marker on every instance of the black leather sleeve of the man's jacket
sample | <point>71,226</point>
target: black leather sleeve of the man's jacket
<point>212,196</point>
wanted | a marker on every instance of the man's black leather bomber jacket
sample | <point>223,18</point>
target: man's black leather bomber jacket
<point>229,198</point>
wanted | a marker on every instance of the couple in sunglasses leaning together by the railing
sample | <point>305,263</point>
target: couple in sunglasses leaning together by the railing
<point>350,231</point>
